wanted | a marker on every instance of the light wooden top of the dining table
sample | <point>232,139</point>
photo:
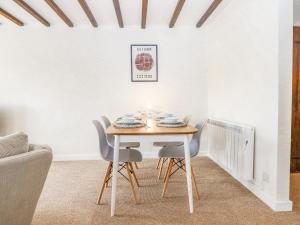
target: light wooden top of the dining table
<point>151,129</point>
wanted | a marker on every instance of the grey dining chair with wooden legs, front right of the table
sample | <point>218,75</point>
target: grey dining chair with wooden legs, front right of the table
<point>175,154</point>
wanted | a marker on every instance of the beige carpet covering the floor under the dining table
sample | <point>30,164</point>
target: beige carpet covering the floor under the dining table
<point>71,191</point>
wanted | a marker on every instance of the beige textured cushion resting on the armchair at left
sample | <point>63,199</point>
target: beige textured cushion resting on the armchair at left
<point>13,144</point>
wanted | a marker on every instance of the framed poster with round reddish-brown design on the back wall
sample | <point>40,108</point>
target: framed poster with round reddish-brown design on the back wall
<point>144,63</point>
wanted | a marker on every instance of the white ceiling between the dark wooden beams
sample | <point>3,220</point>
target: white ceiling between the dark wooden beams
<point>159,12</point>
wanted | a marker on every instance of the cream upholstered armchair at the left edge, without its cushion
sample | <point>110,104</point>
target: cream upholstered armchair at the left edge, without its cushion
<point>22,178</point>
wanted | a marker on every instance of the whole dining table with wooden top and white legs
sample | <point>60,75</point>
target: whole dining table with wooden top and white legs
<point>150,133</point>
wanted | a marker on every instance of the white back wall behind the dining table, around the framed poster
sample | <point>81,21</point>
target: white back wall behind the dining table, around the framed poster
<point>55,81</point>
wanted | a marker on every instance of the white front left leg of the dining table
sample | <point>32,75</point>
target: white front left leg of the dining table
<point>114,176</point>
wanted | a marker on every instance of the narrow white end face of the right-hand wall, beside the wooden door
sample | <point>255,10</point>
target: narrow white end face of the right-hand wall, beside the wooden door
<point>285,64</point>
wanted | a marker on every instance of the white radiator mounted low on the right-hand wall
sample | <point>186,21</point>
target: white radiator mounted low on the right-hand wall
<point>232,146</point>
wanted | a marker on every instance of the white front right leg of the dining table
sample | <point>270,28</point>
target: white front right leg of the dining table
<point>188,171</point>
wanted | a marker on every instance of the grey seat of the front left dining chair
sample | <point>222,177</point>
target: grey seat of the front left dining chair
<point>126,155</point>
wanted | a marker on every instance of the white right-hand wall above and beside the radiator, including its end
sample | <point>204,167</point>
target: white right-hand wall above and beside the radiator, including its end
<point>249,81</point>
